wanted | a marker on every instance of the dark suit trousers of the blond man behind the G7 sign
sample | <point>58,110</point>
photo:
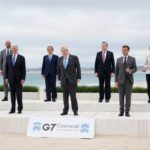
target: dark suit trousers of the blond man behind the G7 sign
<point>70,89</point>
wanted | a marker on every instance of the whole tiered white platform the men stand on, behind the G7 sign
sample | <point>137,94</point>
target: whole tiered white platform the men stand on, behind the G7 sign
<point>106,115</point>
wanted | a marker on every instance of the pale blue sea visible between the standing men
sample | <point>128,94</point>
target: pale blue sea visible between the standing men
<point>34,78</point>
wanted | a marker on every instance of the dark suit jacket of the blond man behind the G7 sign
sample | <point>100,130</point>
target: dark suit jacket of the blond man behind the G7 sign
<point>72,72</point>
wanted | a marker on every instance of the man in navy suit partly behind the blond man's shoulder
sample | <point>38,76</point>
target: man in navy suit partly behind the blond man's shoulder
<point>49,72</point>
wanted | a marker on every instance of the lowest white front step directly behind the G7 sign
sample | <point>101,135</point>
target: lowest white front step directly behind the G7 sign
<point>107,123</point>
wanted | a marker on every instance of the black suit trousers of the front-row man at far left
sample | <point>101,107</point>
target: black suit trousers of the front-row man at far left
<point>16,93</point>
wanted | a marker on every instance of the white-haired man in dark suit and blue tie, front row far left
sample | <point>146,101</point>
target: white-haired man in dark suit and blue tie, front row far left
<point>15,73</point>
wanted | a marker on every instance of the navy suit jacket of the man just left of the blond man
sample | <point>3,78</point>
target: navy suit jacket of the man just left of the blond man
<point>49,67</point>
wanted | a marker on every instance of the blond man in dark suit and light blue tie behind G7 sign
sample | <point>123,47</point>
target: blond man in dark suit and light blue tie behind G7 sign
<point>69,74</point>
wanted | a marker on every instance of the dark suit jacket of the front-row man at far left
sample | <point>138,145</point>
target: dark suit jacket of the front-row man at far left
<point>15,73</point>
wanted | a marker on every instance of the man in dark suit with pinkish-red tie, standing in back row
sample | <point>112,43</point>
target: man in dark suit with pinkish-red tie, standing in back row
<point>104,69</point>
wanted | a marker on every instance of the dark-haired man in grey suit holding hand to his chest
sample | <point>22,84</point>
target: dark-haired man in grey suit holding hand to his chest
<point>125,68</point>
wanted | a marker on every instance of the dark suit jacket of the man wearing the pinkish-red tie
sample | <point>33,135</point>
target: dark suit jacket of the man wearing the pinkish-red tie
<point>108,67</point>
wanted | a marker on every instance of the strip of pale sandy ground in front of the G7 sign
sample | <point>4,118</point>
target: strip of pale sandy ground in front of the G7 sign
<point>17,142</point>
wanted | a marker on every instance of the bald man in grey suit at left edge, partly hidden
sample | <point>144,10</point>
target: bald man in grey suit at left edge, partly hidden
<point>3,54</point>
